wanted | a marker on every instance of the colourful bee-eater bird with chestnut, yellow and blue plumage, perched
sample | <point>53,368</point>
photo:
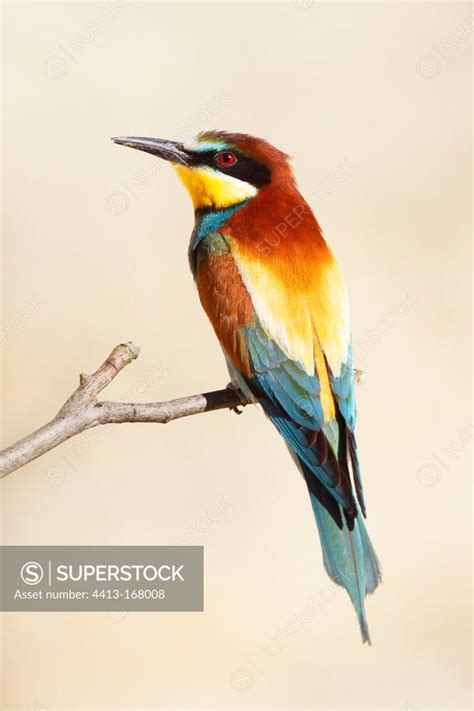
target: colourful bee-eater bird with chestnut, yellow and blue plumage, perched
<point>277,300</point>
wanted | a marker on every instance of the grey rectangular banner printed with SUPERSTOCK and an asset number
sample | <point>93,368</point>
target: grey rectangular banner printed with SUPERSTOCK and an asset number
<point>101,578</point>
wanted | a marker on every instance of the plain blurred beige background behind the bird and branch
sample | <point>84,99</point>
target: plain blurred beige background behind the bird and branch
<point>94,247</point>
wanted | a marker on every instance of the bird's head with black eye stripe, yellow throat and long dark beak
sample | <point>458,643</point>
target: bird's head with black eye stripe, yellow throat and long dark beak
<point>219,169</point>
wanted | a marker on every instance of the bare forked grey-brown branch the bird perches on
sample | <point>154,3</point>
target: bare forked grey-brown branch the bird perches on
<point>82,410</point>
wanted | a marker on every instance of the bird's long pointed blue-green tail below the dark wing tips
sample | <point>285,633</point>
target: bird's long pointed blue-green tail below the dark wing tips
<point>349,557</point>
